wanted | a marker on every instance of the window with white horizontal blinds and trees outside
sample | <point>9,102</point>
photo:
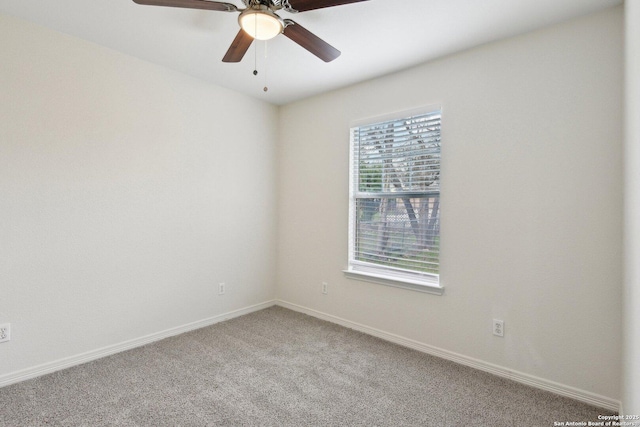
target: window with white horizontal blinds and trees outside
<point>394,207</point>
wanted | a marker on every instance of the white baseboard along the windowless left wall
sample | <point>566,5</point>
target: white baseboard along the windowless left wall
<point>79,359</point>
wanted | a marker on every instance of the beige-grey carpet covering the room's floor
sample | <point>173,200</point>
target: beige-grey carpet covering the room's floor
<point>277,367</point>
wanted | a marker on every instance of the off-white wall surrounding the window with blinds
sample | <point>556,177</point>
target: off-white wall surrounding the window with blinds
<point>531,203</point>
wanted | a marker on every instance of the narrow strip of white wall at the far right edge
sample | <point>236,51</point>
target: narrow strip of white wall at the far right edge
<point>631,392</point>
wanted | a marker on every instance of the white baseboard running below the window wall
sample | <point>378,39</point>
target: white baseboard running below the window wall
<point>530,380</point>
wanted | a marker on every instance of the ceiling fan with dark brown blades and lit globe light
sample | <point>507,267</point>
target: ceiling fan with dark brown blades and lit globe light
<point>260,21</point>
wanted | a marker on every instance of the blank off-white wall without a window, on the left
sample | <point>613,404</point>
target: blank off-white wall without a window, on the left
<point>127,192</point>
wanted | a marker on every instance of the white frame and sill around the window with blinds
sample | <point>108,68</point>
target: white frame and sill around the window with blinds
<point>363,271</point>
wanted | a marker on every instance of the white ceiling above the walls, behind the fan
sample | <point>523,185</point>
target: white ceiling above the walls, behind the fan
<point>376,37</point>
